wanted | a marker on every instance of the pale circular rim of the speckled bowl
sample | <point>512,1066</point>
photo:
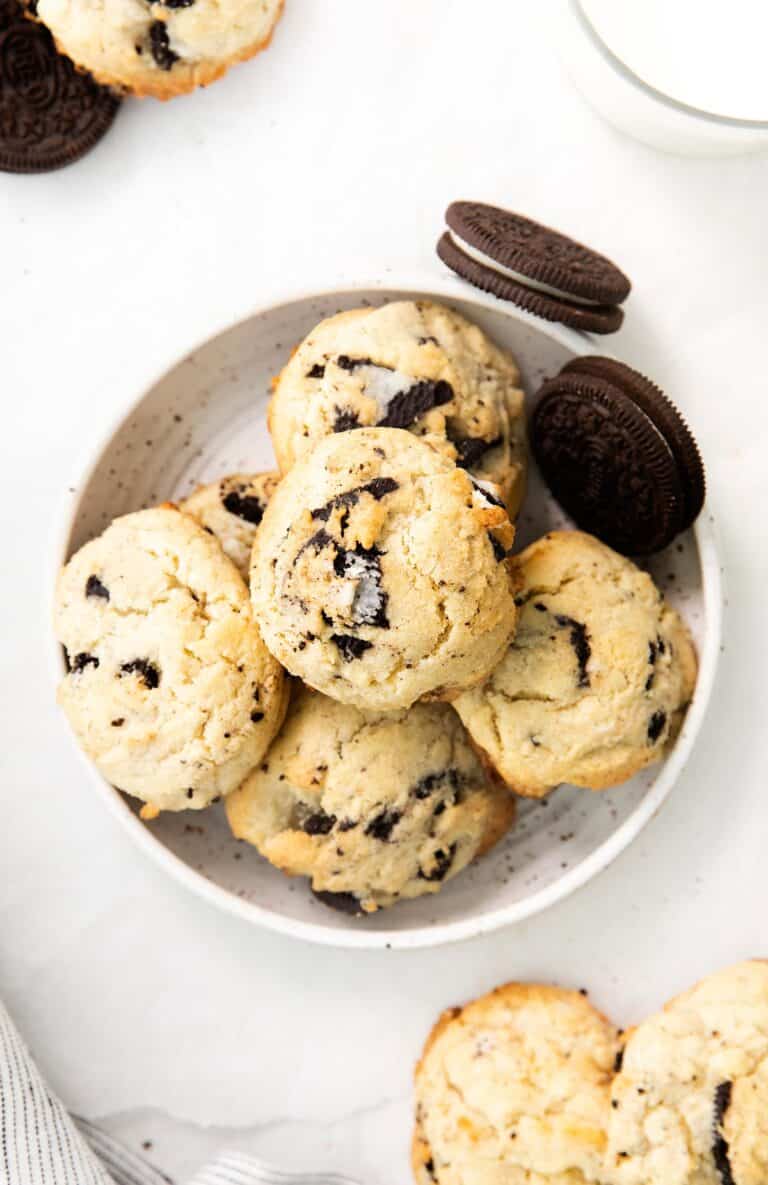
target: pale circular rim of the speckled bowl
<point>446,287</point>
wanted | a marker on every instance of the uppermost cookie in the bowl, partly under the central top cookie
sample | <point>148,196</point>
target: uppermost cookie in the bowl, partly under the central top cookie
<point>411,364</point>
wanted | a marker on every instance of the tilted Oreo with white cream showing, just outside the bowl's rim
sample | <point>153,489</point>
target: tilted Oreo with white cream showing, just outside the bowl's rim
<point>534,266</point>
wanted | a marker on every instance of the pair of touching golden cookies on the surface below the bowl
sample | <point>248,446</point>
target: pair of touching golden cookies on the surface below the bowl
<point>532,1085</point>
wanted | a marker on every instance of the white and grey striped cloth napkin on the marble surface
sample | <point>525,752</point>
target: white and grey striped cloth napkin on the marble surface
<point>42,1144</point>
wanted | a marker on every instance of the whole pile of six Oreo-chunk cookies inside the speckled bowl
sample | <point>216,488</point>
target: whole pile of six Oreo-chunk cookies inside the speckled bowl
<point>434,674</point>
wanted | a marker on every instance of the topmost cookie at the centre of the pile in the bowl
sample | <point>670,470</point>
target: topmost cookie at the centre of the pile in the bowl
<point>380,572</point>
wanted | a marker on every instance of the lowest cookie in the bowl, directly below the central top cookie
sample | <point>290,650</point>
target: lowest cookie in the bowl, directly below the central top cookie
<point>373,808</point>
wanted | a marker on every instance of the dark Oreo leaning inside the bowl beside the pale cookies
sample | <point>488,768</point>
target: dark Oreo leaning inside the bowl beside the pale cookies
<point>618,456</point>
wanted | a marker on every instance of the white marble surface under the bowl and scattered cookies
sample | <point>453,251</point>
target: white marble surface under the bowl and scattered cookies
<point>332,159</point>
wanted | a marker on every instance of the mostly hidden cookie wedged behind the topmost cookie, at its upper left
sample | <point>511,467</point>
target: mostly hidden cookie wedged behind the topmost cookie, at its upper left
<point>233,510</point>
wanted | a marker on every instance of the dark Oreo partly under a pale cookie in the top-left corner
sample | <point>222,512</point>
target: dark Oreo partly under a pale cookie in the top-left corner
<point>50,113</point>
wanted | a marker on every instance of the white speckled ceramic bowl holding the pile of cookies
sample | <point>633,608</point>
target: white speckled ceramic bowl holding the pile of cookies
<point>206,418</point>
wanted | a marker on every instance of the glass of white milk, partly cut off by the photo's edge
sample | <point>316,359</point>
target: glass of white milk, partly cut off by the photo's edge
<point>686,76</point>
